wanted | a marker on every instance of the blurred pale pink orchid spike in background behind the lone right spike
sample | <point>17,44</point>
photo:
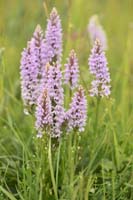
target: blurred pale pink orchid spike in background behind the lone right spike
<point>96,31</point>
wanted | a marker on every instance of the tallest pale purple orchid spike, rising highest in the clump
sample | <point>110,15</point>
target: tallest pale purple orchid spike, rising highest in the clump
<point>52,51</point>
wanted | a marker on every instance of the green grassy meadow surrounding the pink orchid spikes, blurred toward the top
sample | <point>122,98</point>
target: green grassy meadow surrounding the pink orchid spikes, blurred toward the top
<point>81,166</point>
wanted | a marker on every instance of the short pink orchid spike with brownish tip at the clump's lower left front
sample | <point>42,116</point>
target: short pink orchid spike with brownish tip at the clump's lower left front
<point>43,113</point>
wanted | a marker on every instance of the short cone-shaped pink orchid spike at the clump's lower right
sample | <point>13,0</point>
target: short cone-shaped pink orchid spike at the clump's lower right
<point>77,114</point>
